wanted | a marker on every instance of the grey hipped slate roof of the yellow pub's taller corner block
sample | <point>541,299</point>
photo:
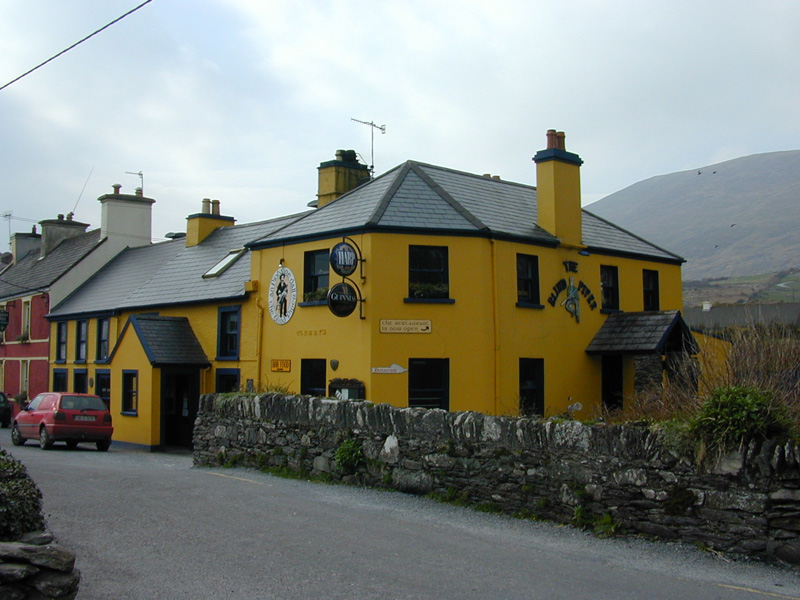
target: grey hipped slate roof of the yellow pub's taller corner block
<point>417,196</point>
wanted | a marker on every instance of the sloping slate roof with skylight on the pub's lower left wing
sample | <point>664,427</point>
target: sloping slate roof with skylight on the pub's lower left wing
<point>169,273</point>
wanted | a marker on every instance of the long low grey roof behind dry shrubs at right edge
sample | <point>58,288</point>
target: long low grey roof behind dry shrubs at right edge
<point>743,315</point>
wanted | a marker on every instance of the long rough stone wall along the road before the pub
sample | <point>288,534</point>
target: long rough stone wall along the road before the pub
<point>747,503</point>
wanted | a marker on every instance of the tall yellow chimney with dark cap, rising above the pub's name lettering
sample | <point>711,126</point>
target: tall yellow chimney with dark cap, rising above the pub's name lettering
<point>558,191</point>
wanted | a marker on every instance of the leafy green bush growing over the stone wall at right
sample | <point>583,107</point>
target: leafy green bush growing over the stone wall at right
<point>732,417</point>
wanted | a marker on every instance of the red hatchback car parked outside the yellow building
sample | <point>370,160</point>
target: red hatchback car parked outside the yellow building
<point>63,417</point>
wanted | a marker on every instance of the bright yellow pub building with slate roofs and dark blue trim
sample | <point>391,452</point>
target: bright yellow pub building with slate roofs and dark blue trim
<point>422,287</point>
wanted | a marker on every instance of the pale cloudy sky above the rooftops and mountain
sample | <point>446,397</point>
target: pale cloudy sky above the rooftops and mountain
<point>240,100</point>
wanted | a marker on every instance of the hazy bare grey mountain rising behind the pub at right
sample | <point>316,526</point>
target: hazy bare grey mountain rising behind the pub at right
<point>735,218</point>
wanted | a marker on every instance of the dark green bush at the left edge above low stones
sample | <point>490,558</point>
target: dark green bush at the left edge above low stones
<point>20,500</point>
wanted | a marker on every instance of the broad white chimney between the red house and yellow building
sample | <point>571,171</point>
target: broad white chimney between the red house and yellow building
<point>126,218</point>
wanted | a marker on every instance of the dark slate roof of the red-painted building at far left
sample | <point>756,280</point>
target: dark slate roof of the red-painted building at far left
<point>31,274</point>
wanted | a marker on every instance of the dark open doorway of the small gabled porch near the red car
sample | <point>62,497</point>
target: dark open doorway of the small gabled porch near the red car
<point>180,396</point>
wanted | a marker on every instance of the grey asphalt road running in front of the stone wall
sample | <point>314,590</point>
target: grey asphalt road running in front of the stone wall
<point>150,526</point>
